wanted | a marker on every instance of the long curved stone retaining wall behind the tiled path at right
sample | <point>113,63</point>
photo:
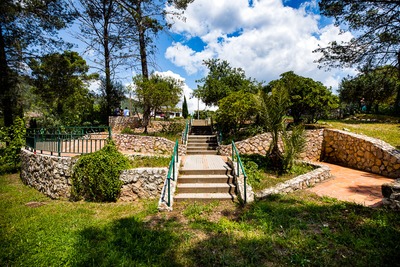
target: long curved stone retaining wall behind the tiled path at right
<point>361,152</point>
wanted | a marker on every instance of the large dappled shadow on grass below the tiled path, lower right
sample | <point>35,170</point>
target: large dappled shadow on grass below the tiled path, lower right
<point>283,231</point>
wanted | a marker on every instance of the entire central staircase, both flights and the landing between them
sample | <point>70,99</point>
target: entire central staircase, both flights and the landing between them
<point>204,176</point>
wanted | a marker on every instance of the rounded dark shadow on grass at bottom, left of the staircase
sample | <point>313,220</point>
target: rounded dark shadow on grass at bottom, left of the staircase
<point>126,242</point>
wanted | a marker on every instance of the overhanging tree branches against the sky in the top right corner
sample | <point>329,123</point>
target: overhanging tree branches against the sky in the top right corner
<point>376,43</point>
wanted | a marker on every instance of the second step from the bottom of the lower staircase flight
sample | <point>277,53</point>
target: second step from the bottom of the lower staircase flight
<point>206,188</point>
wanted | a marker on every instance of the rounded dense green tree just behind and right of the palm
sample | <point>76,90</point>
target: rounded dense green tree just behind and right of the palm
<point>306,96</point>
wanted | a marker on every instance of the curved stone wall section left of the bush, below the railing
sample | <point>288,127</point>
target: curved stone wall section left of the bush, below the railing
<point>50,175</point>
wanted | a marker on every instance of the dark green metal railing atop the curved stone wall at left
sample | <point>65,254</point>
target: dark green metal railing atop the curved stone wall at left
<point>71,140</point>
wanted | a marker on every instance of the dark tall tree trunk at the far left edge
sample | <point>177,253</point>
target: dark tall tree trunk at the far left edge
<point>5,84</point>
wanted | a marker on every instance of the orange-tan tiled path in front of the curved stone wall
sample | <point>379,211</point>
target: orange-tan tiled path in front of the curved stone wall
<point>352,185</point>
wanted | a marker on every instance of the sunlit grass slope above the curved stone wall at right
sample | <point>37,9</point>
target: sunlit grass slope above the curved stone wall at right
<point>387,129</point>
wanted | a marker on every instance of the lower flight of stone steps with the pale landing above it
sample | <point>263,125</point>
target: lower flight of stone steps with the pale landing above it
<point>208,184</point>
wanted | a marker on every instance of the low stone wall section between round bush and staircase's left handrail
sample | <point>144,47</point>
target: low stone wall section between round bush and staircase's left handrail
<point>142,183</point>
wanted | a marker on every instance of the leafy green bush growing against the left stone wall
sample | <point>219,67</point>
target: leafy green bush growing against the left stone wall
<point>96,176</point>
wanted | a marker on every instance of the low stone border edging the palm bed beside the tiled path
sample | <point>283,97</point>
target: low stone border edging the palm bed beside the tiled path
<point>320,174</point>
